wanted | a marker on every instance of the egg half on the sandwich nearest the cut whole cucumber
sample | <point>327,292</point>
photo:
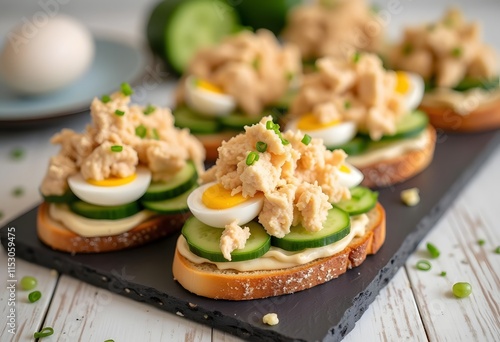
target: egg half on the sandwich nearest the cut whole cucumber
<point>208,99</point>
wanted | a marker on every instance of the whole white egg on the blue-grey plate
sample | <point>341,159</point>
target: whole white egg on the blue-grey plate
<point>43,56</point>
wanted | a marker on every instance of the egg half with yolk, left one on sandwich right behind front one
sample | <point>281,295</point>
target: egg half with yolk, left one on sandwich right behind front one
<point>334,133</point>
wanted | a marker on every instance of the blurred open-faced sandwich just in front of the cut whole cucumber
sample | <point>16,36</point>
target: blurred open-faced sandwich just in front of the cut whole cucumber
<point>234,84</point>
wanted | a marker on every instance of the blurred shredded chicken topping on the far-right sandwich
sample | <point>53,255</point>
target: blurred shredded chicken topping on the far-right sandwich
<point>445,51</point>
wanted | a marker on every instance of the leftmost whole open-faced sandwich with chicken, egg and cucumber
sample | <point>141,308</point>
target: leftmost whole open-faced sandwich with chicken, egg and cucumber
<point>121,183</point>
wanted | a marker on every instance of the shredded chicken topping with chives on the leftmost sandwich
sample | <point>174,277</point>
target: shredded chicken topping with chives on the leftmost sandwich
<point>147,137</point>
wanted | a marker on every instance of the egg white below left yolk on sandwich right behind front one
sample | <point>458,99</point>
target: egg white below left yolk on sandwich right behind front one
<point>332,136</point>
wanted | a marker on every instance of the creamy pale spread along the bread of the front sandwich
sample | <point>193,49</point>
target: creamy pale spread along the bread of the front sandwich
<point>277,258</point>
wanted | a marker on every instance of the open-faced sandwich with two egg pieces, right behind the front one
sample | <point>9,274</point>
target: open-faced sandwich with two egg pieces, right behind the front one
<point>353,103</point>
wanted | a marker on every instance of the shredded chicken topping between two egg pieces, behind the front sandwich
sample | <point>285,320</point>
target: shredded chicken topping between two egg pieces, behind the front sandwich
<point>354,88</point>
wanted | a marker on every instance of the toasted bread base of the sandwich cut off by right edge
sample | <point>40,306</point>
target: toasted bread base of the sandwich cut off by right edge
<point>484,118</point>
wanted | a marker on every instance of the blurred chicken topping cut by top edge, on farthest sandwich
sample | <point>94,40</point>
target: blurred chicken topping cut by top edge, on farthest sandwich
<point>333,28</point>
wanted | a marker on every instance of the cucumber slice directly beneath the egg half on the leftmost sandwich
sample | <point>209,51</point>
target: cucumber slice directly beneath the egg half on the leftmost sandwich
<point>100,212</point>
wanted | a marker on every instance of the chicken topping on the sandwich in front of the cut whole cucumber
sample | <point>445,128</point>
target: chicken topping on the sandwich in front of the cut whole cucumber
<point>254,68</point>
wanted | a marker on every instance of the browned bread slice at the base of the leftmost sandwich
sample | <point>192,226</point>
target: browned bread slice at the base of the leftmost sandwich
<point>55,235</point>
